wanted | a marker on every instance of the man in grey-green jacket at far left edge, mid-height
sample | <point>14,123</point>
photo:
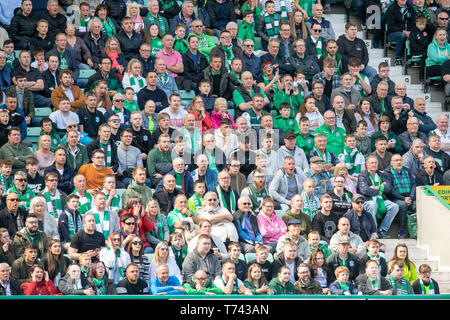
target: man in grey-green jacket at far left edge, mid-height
<point>15,150</point>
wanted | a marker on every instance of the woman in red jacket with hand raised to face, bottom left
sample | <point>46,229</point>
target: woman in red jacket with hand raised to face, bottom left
<point>39,283</point>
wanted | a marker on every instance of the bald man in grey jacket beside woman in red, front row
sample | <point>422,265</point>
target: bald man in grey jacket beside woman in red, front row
<point>73,284</point>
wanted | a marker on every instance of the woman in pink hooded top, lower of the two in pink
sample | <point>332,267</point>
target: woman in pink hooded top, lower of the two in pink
<point>271,226</point>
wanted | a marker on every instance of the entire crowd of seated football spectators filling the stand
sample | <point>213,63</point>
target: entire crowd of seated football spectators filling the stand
<point>207,156</point>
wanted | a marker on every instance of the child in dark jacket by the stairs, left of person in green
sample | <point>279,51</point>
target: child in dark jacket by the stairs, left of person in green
<point>419,41</point>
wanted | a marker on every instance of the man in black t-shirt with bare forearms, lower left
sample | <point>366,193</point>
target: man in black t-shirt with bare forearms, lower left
<point>87,240</point>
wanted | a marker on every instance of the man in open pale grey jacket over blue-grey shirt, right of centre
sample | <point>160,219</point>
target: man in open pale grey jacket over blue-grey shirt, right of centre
<point>287,182</point>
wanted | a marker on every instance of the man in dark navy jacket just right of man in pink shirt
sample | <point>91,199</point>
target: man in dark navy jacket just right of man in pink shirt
<point>194,63</point>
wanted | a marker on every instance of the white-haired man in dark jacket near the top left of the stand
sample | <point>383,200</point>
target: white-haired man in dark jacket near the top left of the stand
<point>95,40</point>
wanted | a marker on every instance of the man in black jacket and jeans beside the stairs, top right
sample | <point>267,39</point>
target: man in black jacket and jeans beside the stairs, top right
<point>399,21</point>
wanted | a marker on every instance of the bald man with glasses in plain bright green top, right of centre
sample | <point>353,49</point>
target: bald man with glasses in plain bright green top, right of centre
<point>335,135</point>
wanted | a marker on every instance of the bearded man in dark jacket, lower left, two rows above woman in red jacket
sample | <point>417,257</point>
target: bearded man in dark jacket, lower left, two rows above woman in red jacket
<point>30,233</point>
